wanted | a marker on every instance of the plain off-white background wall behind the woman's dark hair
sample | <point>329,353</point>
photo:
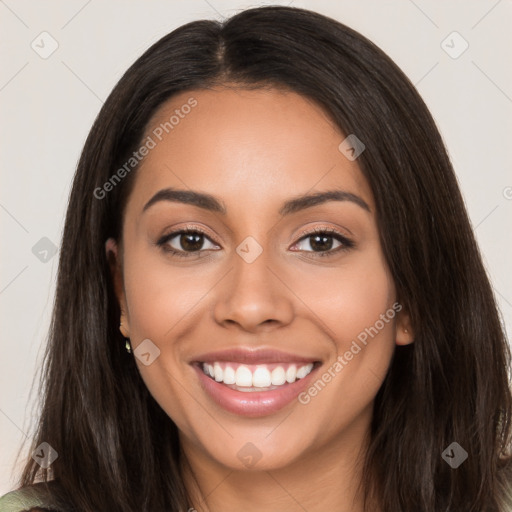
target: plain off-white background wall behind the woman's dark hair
<point>47,107</point>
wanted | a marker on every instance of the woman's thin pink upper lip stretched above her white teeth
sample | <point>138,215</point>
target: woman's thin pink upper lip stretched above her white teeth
<point>252,356</point>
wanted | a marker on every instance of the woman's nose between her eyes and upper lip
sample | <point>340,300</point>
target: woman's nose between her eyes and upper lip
<point>254,296</point>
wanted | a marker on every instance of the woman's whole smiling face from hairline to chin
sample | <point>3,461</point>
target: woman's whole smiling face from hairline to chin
<point>226,266</point>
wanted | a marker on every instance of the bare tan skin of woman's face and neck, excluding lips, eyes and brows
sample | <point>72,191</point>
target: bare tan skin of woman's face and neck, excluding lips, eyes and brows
<point>254,150</point>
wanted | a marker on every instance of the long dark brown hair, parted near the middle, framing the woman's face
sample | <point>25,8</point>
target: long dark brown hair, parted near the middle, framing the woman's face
<point>118,450</point>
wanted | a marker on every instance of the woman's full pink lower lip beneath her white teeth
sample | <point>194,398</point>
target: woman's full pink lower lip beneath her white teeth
<point>252,403</point>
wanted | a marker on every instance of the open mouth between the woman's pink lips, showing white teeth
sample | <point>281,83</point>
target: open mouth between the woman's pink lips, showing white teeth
<point>258,377</point>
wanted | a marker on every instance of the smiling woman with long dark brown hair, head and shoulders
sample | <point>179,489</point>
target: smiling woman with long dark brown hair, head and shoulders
<point>269,292</point>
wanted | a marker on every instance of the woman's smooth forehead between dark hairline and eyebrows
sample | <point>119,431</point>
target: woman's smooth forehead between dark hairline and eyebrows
<point>249,147</point>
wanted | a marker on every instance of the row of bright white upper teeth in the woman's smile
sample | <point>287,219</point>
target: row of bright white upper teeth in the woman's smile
<point>242,376</point>
